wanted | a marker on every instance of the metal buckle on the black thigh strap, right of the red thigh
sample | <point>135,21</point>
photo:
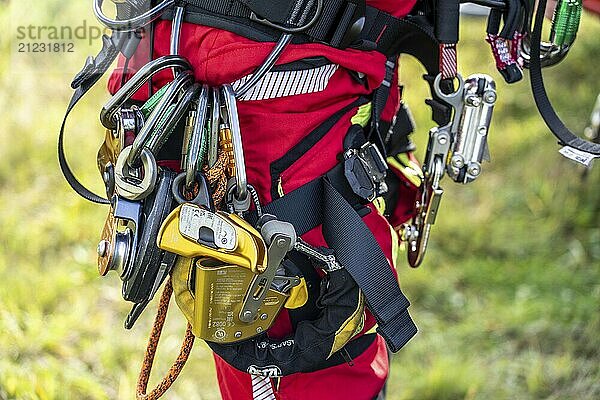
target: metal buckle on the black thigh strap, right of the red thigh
<point>365,169</point>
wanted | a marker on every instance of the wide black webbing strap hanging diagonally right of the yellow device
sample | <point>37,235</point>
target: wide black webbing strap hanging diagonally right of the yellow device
<point>320,203</point>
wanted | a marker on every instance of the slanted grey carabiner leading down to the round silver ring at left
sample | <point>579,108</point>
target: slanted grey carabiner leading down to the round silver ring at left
<point>182,81</point>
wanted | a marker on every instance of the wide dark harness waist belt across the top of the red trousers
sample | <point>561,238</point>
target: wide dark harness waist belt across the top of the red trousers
<point>341,24</point>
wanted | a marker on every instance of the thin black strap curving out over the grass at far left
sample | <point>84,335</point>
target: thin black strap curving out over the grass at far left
<point>83,82</point>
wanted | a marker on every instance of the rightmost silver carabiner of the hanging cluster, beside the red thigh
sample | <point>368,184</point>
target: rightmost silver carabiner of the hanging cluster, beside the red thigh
<point>241,190</point>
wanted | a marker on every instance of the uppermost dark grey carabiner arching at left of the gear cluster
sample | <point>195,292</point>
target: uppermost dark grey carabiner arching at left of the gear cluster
<point>110,109</point>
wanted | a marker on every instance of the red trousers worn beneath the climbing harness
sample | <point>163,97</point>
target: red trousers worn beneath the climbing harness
<point>270,127</point>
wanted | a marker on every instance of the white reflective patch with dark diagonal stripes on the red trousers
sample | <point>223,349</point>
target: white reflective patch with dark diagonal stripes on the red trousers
<point>288,83</point>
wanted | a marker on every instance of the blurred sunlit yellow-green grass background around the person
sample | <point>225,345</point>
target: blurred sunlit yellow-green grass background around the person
<point>507,301</point>
